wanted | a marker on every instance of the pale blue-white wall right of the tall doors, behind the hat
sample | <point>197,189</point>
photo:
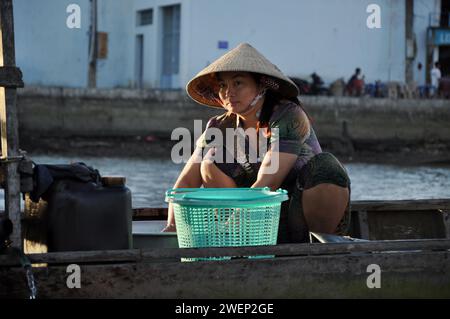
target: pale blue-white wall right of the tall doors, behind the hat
<point>329,37</point>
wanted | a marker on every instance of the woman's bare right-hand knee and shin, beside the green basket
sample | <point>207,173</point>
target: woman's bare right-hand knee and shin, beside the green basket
<point>324,206</point>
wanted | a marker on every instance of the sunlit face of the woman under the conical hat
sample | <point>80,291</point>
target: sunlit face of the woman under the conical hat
<point>237,90</point>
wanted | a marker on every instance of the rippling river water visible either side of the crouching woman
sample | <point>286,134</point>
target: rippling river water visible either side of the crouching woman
<point>148,179</point>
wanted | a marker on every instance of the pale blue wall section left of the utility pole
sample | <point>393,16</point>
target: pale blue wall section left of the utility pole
<point>48,52</point>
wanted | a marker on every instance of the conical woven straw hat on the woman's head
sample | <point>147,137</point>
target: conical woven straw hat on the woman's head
<point>203,88</point>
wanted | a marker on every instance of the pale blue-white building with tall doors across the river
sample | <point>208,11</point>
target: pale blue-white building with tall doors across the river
<point>163,43</point>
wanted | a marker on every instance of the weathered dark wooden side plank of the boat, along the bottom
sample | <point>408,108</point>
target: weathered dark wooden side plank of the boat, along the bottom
<point>403,275</point>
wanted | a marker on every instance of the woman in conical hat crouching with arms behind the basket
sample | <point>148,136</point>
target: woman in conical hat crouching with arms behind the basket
<point>258,97</point>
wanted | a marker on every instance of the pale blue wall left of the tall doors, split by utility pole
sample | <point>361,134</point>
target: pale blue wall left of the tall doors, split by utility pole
<point>50,53</point>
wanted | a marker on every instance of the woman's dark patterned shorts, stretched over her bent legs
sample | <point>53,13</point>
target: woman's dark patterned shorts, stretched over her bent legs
<point>322,168</point>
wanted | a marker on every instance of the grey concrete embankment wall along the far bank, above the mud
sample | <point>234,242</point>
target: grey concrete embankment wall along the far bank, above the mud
<point>72,112</point>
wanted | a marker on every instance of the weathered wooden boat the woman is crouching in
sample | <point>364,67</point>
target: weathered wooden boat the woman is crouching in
<point>408,240</point>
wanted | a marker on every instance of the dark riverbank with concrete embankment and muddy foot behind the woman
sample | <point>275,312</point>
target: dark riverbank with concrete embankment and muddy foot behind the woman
<point>139,123</point>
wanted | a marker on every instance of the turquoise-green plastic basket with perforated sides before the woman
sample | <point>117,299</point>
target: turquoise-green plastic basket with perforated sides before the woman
<point>226,217</point>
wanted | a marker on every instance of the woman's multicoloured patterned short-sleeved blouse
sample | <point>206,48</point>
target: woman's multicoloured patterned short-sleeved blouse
<point>288,130</point>
